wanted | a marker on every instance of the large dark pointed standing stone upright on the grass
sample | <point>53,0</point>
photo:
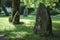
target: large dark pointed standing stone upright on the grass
<point>43,23</point>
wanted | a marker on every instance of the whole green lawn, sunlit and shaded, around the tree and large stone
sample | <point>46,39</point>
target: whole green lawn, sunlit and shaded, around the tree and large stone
<point>25,31</point>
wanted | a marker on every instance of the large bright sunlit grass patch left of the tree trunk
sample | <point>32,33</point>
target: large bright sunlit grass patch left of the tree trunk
<point>5,25</point>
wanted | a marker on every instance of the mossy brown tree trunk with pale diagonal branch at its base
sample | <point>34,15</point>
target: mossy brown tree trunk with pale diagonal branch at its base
<point>15,12</point>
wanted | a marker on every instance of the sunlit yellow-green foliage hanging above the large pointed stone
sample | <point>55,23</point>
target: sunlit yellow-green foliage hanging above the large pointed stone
<point>35,3</point>
